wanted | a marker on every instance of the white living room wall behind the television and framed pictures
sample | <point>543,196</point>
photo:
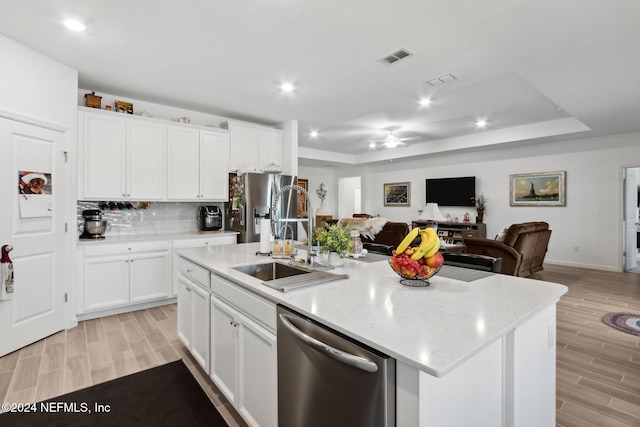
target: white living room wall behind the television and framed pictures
<point>591,220</point>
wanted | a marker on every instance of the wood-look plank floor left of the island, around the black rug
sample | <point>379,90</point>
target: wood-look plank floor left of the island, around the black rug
<point>100,350</point>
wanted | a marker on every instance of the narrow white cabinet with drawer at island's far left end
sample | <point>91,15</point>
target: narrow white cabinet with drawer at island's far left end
<point>193,310</point>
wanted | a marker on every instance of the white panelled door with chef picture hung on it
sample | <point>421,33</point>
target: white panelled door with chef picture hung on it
<point>34,225</point>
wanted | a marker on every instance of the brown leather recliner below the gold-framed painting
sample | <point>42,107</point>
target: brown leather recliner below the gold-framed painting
<point>522,248</point>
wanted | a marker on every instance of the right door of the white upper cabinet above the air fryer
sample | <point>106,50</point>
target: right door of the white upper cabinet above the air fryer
<point>214,166</point>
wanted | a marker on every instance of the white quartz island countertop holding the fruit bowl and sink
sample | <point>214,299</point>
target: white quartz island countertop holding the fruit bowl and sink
<point>432,328</point>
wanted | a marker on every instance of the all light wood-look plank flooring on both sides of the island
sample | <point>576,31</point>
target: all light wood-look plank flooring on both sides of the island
<point>598,367</point>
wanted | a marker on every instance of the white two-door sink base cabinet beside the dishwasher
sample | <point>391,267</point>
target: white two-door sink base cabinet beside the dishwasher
<point>244,351</point>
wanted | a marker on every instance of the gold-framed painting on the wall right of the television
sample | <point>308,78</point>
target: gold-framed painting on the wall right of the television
<point>537,189</point>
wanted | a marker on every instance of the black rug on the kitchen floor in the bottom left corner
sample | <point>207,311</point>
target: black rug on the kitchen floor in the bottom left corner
<point>166,395</point>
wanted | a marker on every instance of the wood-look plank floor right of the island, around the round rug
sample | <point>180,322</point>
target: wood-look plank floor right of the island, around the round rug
<point>597,366</point>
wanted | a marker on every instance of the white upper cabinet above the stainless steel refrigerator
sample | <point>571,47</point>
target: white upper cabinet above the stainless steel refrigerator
<point>254,146</point>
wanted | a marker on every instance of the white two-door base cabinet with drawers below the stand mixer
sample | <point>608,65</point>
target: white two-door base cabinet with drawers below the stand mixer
<point>123,275</point>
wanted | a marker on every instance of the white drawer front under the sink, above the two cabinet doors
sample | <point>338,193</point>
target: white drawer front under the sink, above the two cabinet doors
<point>251,305</point>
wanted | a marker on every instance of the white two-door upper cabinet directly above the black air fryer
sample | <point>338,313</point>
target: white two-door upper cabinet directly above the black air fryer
<point>198,164</point>
